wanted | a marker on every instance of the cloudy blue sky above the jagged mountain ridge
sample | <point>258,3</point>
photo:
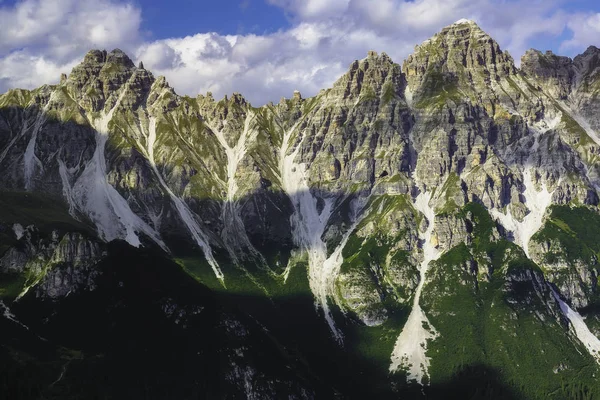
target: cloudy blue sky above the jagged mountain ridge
<point>266,49</point>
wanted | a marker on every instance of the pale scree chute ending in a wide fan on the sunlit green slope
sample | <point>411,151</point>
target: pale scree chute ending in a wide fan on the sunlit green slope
<point>410,349</point>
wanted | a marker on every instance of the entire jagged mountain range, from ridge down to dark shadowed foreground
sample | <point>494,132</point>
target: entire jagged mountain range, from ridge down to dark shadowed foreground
<point>425,230</point>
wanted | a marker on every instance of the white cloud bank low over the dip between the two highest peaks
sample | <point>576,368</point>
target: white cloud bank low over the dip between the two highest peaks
<point>260,67</point>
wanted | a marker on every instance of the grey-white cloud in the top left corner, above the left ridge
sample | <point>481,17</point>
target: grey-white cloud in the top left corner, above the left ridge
<point>39,39</point>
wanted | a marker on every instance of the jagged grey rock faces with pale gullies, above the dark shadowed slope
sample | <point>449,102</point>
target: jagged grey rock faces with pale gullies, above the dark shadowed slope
<point>456,179</point>
